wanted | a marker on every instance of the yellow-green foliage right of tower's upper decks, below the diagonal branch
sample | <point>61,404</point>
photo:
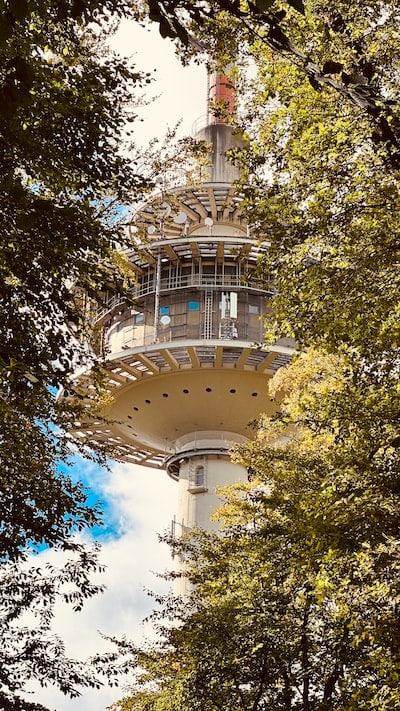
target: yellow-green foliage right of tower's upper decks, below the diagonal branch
<point>321,190</point>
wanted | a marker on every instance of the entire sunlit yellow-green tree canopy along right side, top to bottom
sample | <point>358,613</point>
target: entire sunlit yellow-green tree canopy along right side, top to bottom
<point>295,602</point>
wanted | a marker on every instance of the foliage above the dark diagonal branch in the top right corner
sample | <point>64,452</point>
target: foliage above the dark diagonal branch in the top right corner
<point>352,50</point>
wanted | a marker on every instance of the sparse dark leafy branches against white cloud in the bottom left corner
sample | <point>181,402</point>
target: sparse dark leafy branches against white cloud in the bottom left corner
<point>29,595</point>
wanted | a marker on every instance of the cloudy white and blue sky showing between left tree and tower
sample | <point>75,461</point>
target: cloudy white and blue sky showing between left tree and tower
<point>138,502</point>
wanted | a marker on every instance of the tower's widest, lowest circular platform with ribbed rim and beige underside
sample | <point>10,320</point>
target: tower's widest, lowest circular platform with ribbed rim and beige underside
<point>161,393</point>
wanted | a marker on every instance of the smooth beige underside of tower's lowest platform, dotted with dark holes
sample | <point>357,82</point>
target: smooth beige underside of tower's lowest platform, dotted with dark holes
<point>157,411</point>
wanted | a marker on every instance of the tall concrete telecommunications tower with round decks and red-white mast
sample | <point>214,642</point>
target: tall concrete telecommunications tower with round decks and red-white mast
<point>185,369</point>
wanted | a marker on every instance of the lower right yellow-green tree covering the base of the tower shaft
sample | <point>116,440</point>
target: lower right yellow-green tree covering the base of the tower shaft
<point>295,602</point>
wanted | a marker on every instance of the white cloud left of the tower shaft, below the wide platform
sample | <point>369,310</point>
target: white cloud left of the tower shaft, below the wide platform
<point>142,501</point>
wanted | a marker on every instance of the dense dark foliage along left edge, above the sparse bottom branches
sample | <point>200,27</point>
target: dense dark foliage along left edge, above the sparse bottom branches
<point>62,116</point>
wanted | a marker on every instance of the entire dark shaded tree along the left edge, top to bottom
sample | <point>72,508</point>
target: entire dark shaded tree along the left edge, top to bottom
<point>65,101</point>
